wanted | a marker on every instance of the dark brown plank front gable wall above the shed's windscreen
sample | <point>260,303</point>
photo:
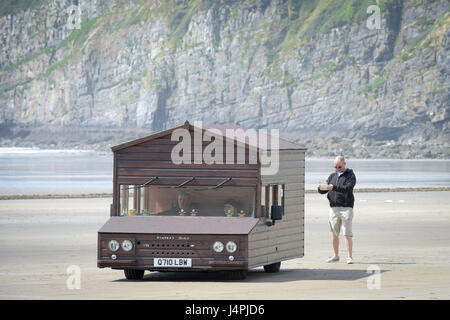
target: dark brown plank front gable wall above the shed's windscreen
<point>135,165</point>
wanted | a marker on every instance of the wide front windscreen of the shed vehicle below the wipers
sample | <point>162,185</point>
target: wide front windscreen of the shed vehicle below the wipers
<point>186,201</point>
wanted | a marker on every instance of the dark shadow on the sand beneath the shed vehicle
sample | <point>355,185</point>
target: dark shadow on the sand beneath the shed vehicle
<point>258,275</point>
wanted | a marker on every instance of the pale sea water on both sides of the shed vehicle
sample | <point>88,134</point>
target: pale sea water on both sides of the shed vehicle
<point>36,171</point>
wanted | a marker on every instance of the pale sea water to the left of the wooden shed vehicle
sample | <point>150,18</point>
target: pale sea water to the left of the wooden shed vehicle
<point>36,171</point>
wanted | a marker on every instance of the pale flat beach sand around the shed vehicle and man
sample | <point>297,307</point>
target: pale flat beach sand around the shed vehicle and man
<point>405,234</point>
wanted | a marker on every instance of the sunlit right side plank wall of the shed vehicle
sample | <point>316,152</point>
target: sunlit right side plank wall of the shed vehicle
<point>284,240</point>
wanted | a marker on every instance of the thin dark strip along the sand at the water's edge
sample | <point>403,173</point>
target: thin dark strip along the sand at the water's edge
<point>109,195</point>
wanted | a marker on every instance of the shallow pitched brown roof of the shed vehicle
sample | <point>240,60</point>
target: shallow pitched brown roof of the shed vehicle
<point>283,144</point>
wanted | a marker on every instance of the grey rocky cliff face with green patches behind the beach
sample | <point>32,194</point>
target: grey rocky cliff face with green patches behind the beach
<point>312,69</point>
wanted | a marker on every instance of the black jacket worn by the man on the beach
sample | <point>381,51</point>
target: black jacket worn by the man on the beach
<point>342,193</point>
